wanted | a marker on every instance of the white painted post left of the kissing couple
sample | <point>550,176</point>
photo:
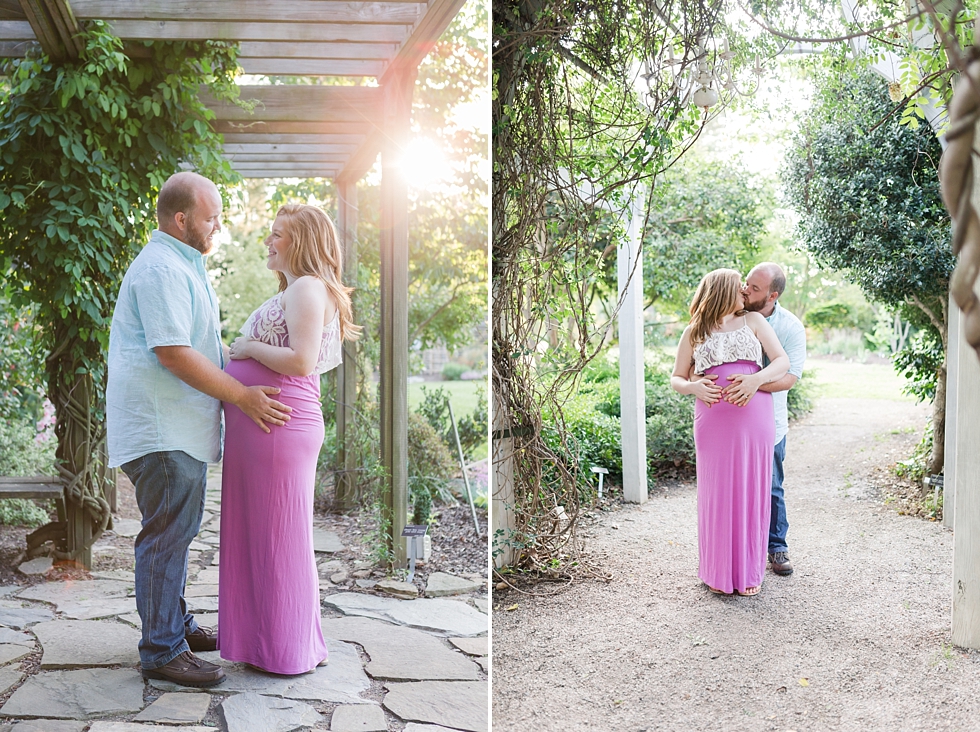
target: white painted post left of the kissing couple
<point>631,389</point>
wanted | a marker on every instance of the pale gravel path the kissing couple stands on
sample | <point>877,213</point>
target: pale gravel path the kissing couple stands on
<point>858,638</point>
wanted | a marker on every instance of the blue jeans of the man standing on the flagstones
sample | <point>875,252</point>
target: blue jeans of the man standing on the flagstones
<point>170,493</point>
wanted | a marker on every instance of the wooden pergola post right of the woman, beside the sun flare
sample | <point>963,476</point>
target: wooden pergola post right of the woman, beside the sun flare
<point>394,307</point>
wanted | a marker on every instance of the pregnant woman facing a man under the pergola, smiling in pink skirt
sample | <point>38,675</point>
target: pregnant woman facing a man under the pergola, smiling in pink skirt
<point>269,594</point>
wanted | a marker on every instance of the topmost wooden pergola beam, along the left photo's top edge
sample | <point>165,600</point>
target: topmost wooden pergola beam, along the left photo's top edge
<point>251,11</point>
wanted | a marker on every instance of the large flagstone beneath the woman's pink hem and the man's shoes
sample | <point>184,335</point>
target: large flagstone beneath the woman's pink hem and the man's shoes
<point>341,681</point>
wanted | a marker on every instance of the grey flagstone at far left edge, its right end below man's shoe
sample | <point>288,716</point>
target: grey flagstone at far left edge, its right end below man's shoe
<point>83,694</point>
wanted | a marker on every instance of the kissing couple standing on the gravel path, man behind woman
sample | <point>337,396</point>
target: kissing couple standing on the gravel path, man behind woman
<point>740,354</point>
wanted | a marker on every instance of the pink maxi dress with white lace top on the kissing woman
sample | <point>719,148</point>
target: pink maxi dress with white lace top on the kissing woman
<point>734,467</point>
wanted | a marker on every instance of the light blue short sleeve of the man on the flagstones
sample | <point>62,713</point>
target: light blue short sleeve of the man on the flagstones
<point>164,301</point>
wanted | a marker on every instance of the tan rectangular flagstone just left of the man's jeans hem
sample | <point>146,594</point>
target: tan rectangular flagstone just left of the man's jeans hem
<point>81,643</point>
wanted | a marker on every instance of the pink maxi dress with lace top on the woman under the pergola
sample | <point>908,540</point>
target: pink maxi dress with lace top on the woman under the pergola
<point>268,590</point>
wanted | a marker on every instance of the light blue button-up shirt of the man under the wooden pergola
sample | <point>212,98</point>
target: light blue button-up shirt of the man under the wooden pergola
<point>166,299</point>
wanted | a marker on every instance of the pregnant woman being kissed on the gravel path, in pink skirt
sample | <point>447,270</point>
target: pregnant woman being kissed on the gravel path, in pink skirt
<point>734,429</point>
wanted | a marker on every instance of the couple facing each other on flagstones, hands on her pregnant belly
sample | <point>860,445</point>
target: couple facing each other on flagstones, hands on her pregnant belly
<point>170,376</point>
